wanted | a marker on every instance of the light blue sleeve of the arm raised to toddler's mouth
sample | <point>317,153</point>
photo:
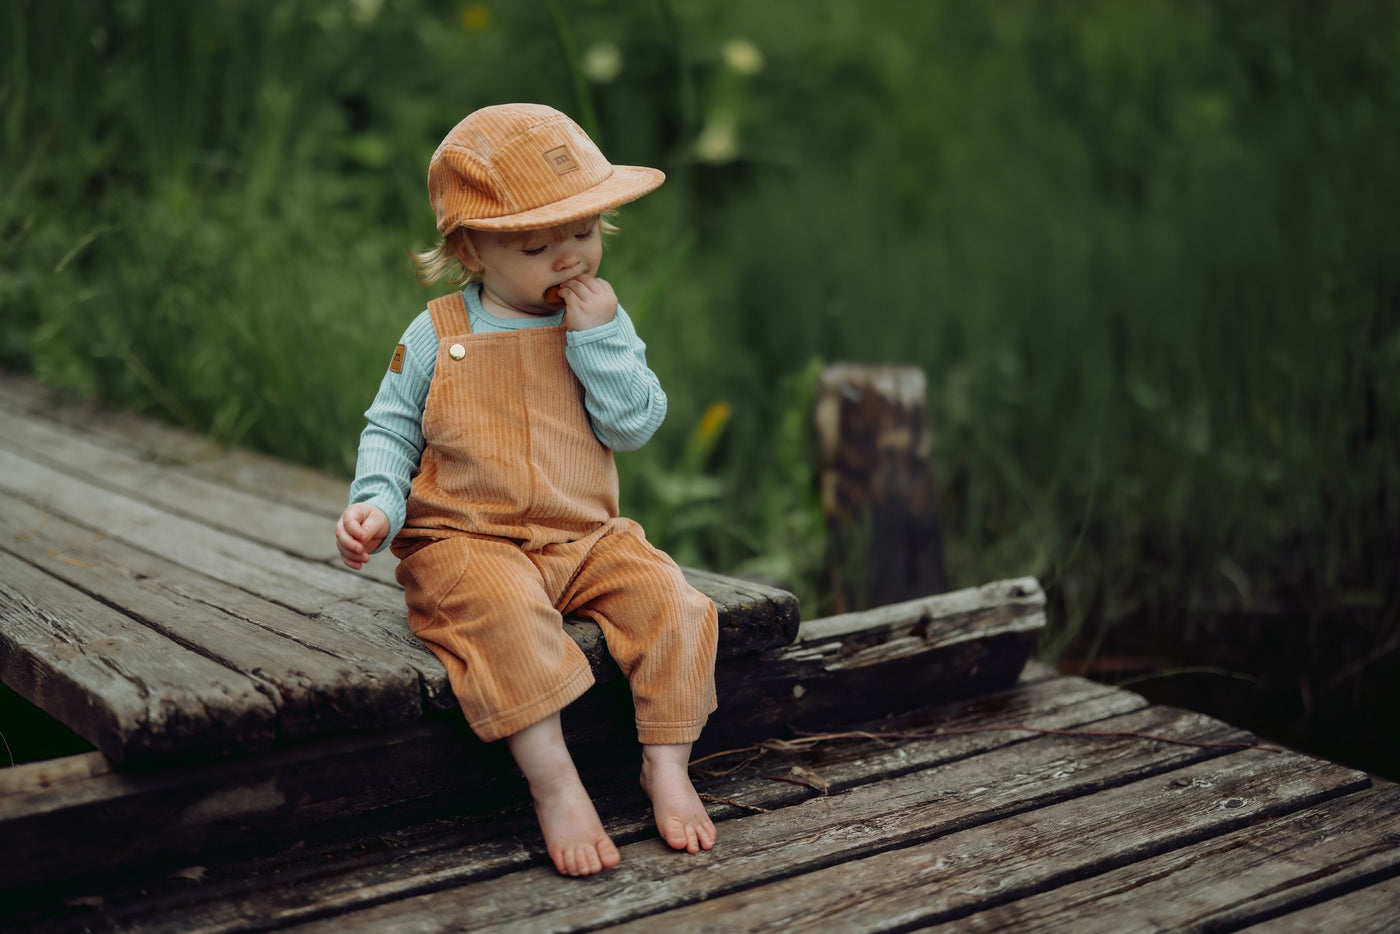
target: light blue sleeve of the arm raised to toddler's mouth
<point>624,397</point>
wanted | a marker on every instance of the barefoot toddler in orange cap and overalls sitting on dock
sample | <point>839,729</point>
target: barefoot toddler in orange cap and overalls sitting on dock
<point>488,467</point>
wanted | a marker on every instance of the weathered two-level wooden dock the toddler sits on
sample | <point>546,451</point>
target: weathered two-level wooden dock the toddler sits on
<point>274,751</point>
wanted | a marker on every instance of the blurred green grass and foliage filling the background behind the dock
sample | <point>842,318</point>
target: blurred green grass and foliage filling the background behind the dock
<point>1146,251</point>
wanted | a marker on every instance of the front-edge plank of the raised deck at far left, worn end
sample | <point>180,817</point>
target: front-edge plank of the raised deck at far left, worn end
<point>131,692</point>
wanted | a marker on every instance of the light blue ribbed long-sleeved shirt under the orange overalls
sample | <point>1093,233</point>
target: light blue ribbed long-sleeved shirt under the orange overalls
<point>625,400</point>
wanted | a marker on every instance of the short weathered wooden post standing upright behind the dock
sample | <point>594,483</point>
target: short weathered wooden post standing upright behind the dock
<point>884,541</point>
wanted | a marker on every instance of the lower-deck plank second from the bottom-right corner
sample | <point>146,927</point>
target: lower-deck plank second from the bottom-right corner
<point>1256,873</point>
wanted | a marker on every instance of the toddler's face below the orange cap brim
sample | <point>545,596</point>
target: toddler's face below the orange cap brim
<point>517,267</point>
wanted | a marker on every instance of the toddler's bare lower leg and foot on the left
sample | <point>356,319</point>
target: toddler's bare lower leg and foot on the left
<point>573,834</point>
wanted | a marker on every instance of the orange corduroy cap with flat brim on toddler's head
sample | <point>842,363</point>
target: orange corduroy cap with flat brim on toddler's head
<point>524,167</point>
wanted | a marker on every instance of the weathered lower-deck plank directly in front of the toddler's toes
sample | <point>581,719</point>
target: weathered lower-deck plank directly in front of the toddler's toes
<point>873,817</point>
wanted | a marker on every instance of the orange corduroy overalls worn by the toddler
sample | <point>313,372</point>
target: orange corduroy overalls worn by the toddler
<point>513,524</point>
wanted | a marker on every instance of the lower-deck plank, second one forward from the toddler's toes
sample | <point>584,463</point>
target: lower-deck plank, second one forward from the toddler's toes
<point>954,876</point>
